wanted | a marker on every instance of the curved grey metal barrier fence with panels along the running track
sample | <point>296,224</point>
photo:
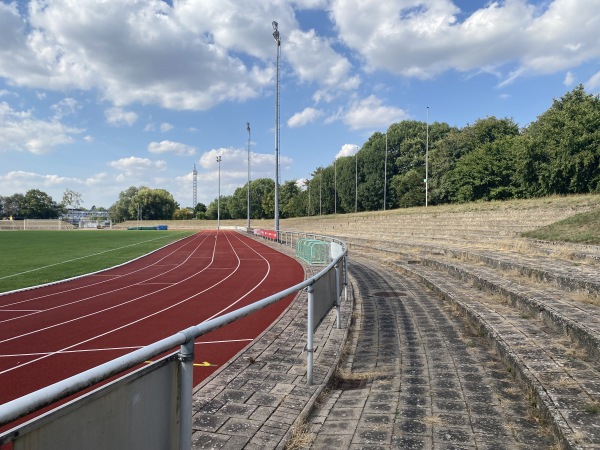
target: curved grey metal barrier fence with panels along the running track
<point>151,407</point>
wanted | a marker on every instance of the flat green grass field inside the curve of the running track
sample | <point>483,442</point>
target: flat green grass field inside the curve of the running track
<point>29,258</point>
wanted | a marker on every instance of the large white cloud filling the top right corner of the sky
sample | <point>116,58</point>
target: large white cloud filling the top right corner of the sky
<point>427,38</point>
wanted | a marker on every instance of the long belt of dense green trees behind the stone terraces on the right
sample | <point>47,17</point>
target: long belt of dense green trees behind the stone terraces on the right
<point>491,159</point>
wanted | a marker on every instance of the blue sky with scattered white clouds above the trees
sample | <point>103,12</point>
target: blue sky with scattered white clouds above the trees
<point>97,96</point>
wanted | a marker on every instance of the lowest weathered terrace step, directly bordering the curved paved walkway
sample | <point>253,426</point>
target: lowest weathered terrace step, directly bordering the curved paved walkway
<point>562,379</point>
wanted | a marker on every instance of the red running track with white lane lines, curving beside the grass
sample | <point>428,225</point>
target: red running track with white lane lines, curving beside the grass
<point>50,333</point>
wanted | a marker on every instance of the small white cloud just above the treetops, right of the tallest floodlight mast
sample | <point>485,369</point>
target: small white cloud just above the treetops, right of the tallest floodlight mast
<point>370,113</point>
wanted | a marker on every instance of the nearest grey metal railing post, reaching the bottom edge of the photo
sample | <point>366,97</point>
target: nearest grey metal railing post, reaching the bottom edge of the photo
<point>186,358</point>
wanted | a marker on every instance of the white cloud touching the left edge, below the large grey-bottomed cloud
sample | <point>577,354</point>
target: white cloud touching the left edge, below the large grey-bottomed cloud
<point>20,131</point>
